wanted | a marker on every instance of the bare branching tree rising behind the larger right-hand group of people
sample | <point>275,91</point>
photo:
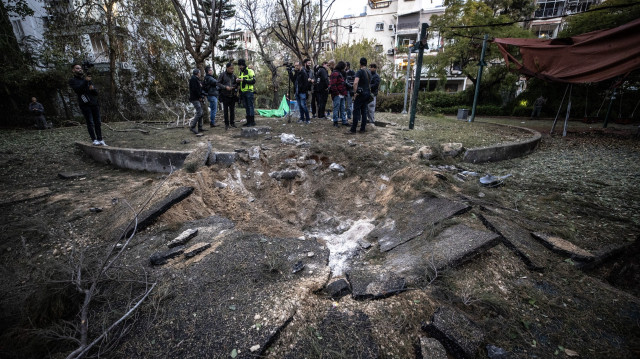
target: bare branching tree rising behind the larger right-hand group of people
<point>299,26</point>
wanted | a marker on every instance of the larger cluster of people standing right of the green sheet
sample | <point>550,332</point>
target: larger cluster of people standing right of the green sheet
<point>352,93</point>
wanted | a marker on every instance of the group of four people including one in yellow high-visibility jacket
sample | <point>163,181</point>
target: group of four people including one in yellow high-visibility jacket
<point>224,89</point>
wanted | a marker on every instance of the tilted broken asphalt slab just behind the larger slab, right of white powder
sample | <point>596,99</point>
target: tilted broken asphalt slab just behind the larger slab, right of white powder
<point>409,220</point>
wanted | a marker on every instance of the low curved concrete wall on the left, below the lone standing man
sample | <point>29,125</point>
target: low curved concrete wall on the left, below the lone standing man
<point>136,159</point>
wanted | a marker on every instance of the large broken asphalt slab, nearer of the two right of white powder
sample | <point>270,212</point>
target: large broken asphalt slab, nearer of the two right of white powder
<point>451,248</point>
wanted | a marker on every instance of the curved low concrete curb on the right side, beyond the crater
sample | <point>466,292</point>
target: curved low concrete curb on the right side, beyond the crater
<point>504,151</point>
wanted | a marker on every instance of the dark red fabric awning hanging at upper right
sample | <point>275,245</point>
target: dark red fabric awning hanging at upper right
<point>590,57</point>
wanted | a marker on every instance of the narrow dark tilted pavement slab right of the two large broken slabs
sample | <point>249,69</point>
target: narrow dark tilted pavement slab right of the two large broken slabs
<point>518,240</point>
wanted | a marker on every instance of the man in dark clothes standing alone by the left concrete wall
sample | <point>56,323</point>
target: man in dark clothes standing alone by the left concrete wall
<point>88,101</point>
